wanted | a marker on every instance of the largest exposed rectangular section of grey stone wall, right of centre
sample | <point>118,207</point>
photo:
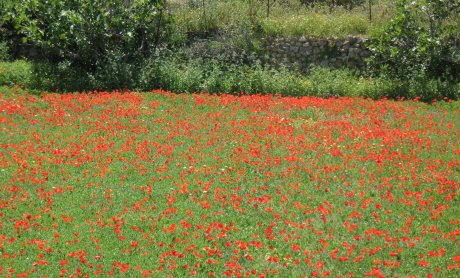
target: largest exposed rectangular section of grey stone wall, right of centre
<point>304,52</point>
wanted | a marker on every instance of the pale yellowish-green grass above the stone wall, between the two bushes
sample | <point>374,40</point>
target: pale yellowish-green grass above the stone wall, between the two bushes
<point>285,20</point>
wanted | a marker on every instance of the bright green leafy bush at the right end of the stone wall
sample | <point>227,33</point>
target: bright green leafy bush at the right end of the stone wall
<point>415,42</point>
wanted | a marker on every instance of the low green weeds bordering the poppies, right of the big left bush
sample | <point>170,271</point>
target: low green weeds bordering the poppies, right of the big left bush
<point>177,75</point>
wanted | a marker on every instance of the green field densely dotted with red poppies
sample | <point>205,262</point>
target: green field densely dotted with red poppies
<point>158,184</point>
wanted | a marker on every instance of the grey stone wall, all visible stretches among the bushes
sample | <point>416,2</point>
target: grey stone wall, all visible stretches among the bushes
<point>299,53</point>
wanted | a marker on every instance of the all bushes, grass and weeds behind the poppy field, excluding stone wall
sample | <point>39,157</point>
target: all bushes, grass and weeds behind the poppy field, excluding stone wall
<point>85,45</point>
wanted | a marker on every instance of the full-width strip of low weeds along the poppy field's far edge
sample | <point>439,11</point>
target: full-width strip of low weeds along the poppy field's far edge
<point>196,75</point>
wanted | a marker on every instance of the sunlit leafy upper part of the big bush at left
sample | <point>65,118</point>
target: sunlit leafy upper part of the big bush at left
<point>85,31</point>
